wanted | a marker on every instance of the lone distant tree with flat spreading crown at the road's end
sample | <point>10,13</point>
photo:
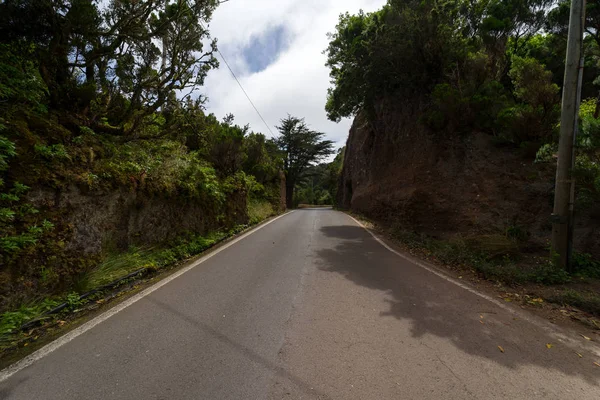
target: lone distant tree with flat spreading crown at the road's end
<point>301,148</point>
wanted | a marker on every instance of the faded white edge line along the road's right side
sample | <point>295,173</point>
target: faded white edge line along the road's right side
<point>552,330</point>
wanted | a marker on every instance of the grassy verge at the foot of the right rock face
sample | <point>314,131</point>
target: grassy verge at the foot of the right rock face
<point>497,258</point>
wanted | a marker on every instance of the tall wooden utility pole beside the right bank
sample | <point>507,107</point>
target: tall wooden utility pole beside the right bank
<point>568,123</point>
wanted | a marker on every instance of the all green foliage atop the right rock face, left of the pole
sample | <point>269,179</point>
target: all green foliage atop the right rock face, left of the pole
<point>474,63</point>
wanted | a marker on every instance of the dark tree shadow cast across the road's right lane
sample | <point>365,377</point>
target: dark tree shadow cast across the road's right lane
<point>437,307</point>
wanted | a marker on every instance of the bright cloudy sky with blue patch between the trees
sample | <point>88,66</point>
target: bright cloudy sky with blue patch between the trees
<point>275,48</point>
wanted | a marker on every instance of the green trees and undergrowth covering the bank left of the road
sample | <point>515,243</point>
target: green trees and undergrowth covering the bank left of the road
<point>99,98</point>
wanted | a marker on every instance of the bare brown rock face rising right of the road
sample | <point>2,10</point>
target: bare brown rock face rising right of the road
<point>397,171</point>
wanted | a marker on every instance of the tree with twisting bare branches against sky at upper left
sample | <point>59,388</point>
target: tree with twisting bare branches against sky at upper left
<point>130,55</point>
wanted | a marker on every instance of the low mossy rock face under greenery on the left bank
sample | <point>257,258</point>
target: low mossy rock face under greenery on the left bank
<point>124,217</point>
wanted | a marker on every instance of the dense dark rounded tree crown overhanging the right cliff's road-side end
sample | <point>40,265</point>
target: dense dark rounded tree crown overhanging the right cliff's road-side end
<point>407,46</point>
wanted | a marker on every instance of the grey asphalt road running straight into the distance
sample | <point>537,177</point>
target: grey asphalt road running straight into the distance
<point>311,306</point>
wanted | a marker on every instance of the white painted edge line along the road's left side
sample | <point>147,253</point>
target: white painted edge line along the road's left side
<point>61,341</point>
